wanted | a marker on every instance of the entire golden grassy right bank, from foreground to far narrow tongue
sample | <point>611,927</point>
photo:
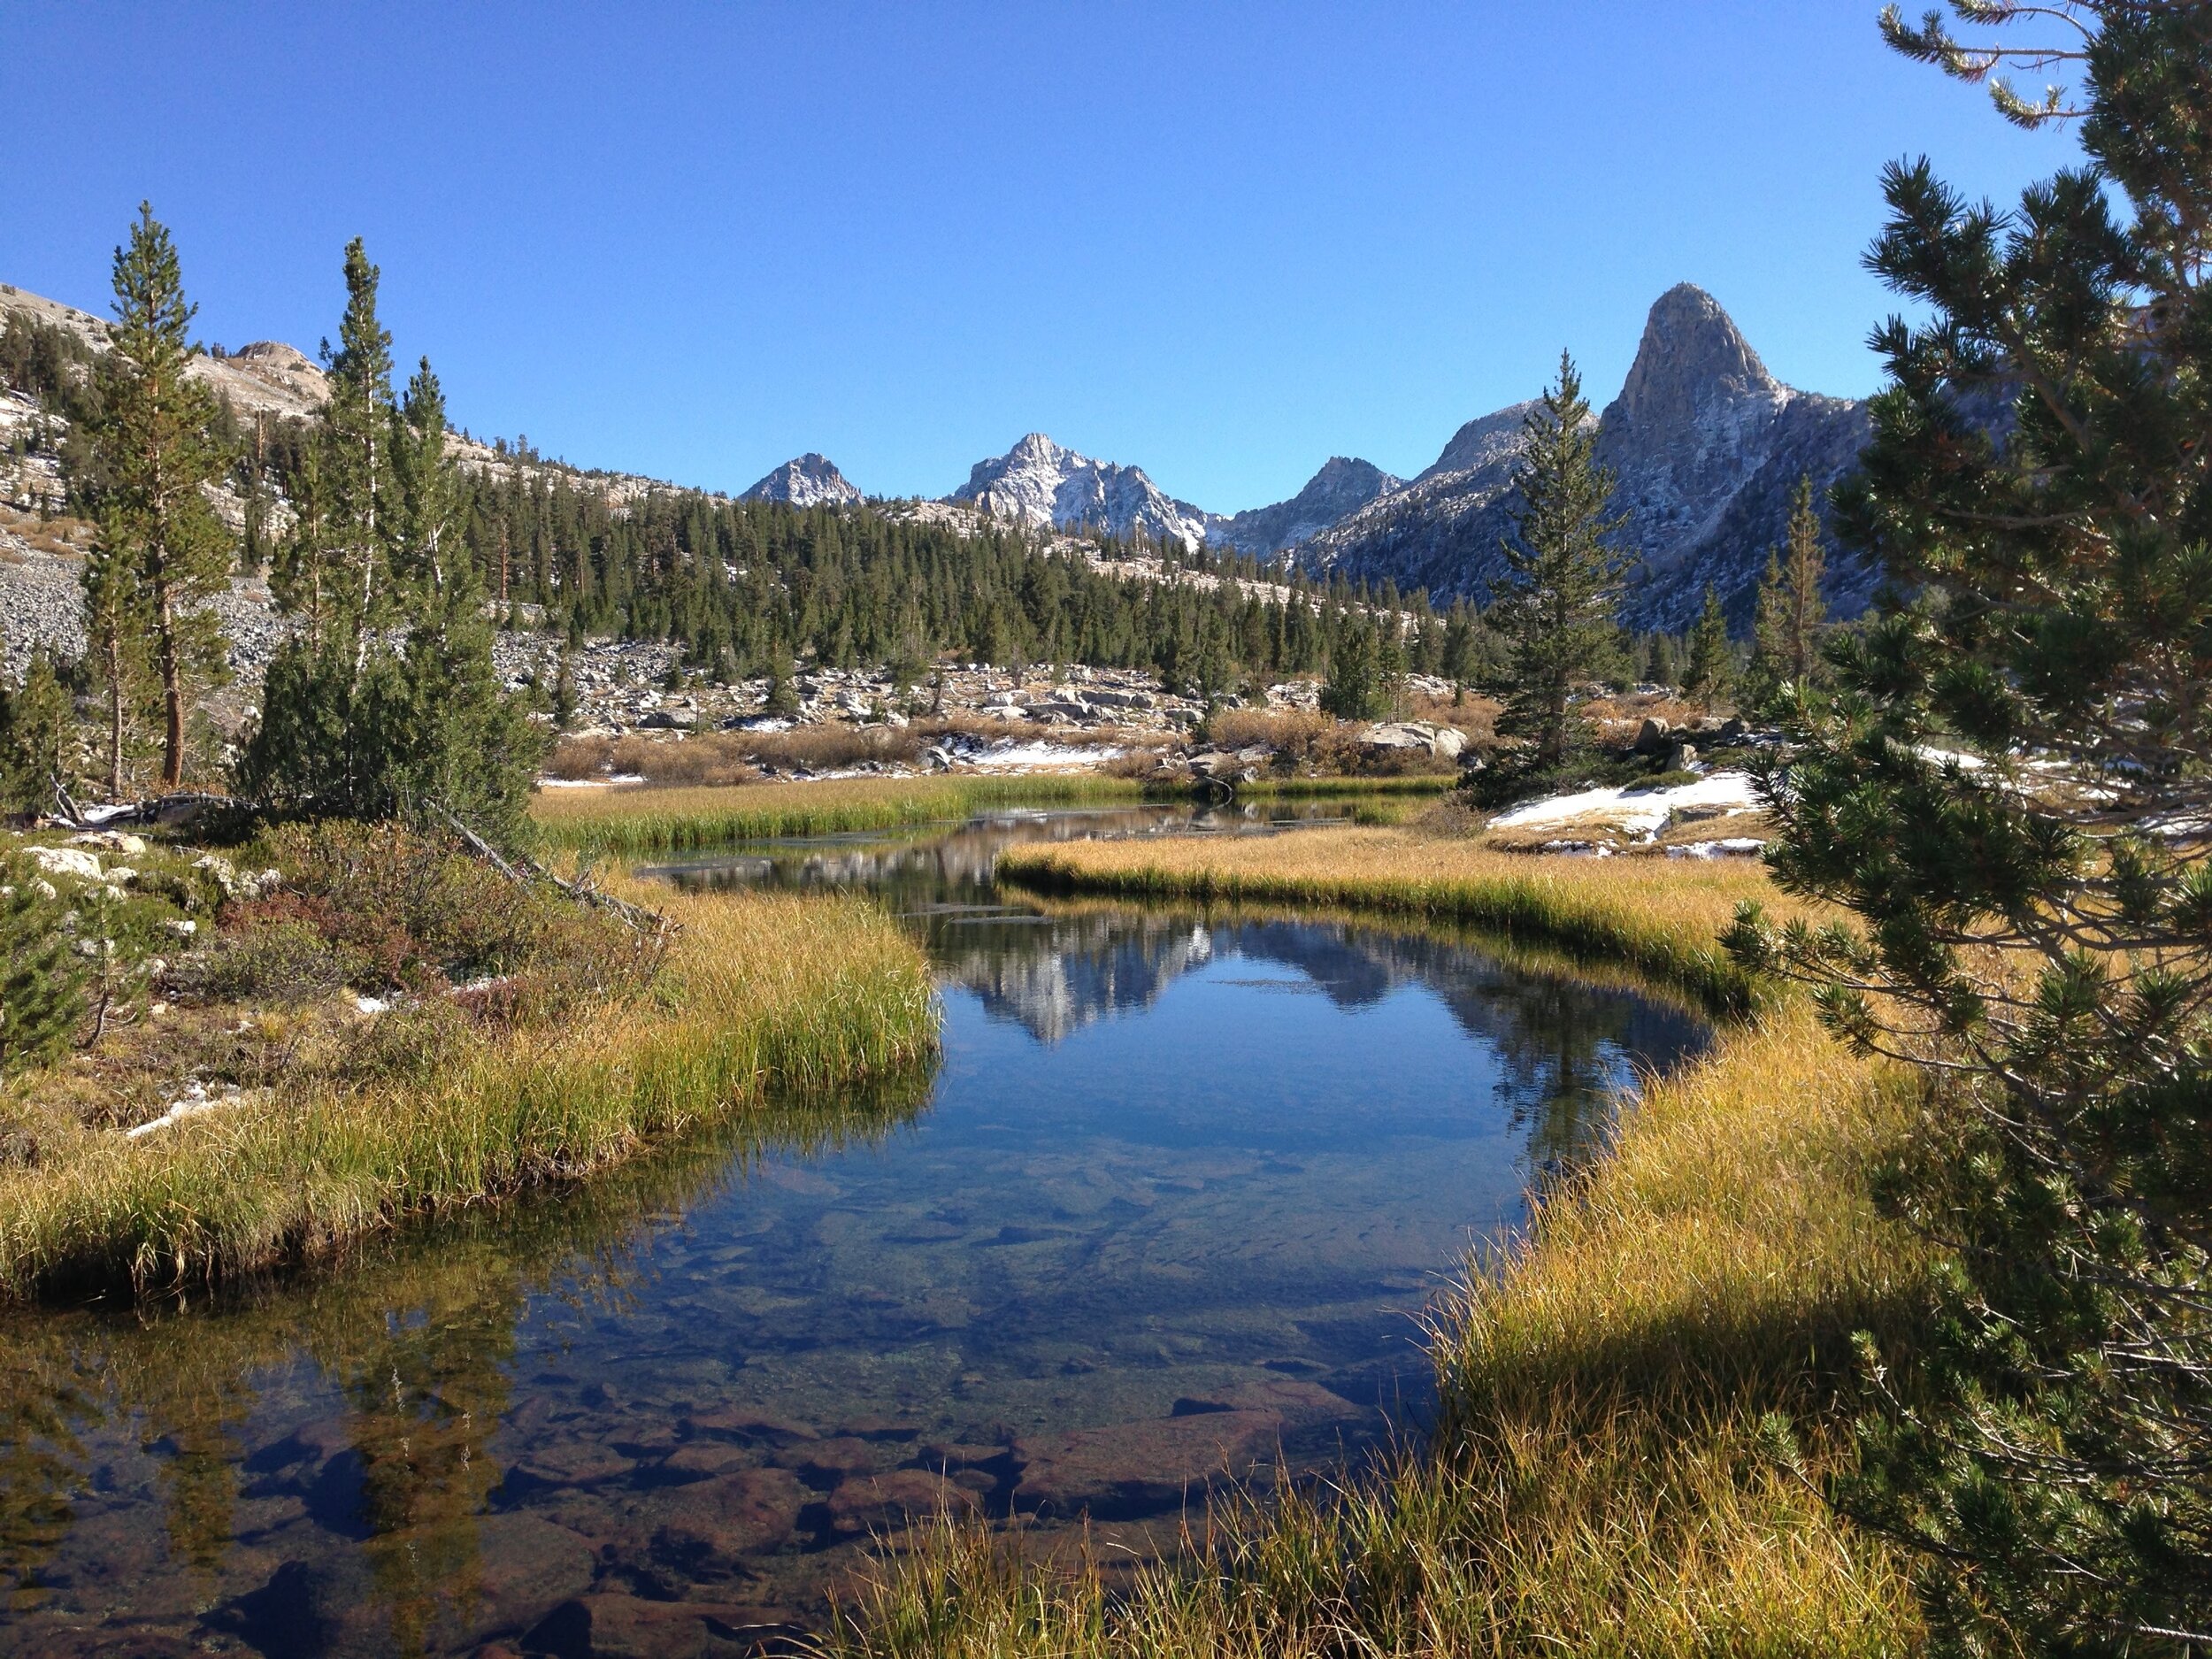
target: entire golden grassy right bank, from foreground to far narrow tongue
<point>1600,1479</point>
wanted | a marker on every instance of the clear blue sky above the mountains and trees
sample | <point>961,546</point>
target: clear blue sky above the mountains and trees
<point>1213,240</point>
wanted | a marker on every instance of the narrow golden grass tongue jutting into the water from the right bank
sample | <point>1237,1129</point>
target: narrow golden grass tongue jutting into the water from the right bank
<point>1656,915</point>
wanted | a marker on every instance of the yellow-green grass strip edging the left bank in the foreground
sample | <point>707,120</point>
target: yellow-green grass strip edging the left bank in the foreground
<point>760,994</point>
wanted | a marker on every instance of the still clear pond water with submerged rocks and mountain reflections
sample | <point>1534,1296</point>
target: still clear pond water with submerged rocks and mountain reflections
<point>1167,1213</point>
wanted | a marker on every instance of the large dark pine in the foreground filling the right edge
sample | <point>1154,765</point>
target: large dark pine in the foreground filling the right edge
<point>2007,793</point>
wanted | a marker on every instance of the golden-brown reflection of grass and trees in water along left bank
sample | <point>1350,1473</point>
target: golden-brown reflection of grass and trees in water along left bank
<point>417,1335</point>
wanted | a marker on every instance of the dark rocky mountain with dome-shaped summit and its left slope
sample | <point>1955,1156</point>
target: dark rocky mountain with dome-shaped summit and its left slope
<point>1707,450</point>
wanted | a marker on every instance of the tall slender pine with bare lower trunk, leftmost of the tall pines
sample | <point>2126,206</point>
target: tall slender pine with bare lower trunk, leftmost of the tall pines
<point>165,552</point>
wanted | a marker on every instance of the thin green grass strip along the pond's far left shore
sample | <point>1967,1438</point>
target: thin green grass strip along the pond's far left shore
<point>647,822</point>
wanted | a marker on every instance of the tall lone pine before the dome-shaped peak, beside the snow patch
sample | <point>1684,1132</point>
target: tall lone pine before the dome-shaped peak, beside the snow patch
<point>1563,587</point>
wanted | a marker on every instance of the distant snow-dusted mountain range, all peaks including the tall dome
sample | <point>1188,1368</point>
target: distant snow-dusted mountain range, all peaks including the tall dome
<point>1704,446</point>
